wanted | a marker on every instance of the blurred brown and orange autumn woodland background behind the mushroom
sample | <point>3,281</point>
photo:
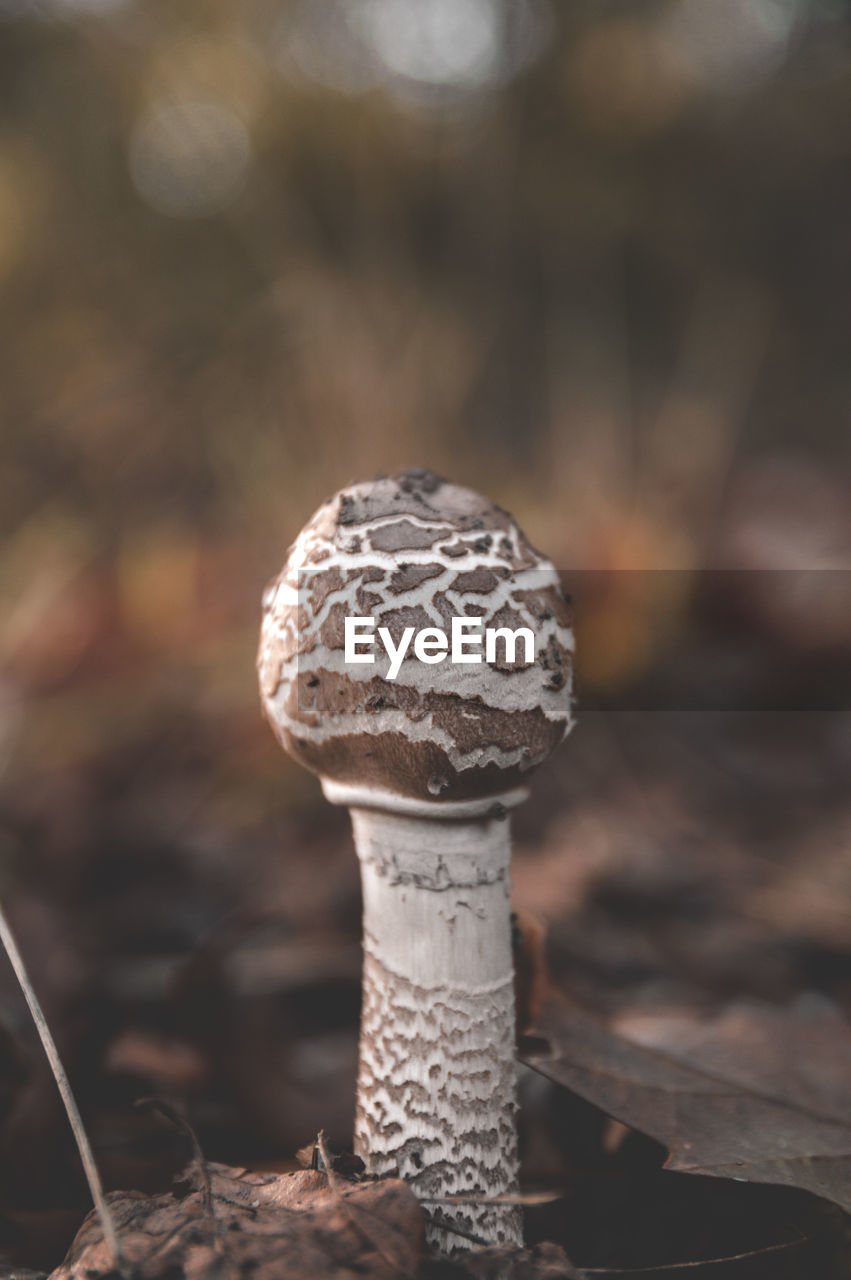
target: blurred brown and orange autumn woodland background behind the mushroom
<point>589,258</point>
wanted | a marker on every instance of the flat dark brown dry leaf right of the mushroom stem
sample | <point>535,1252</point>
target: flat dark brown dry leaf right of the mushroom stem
<point>760,1095</point>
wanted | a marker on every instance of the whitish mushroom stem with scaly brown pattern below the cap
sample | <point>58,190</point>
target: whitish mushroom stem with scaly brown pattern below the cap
<point>437,1094</point>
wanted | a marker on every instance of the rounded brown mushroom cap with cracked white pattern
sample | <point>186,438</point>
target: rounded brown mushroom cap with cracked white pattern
<point>414,551</point>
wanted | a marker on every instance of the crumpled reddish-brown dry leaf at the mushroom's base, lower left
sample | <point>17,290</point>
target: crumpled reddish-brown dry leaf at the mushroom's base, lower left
<point>267,1226</point>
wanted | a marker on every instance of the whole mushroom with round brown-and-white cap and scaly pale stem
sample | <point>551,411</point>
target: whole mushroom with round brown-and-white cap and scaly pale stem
<point>429,752</point>
